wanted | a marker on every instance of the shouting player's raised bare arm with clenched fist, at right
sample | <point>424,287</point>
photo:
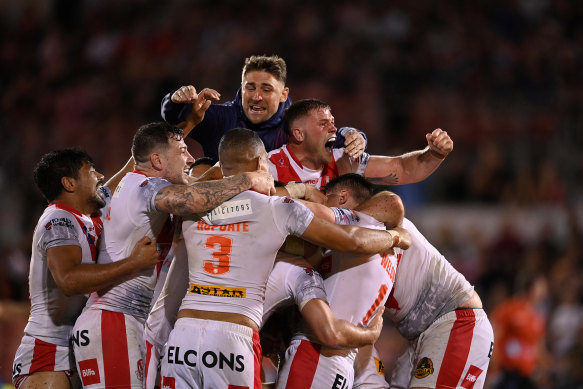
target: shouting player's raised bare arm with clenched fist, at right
<point>410,167</point>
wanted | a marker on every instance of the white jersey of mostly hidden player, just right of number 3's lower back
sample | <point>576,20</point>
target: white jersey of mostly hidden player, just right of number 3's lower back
<point>290,284</point>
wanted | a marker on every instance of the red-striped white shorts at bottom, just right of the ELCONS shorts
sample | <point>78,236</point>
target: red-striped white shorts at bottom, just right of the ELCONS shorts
<point>305,367</point>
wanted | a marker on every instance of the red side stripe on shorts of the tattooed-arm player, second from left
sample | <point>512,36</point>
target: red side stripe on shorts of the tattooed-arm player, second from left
<point>116,361</point>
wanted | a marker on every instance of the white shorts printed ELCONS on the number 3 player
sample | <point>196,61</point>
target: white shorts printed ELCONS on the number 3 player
<point>211,354</point>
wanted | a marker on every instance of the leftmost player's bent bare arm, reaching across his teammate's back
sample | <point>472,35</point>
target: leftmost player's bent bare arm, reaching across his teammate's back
<point>73,277</point>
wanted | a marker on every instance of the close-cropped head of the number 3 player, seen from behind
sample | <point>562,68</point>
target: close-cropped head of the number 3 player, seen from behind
<point>241,150</point>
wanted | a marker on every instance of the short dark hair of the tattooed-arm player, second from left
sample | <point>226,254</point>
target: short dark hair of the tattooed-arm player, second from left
<point>151,136</point>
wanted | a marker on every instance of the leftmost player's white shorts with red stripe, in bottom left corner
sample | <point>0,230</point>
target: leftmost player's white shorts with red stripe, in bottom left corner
<point>36,355</point>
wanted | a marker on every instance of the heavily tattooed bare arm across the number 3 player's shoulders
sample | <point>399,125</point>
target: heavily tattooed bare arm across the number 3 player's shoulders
<point>186,200</point>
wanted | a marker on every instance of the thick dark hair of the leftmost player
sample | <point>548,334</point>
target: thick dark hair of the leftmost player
<point>55,165</point>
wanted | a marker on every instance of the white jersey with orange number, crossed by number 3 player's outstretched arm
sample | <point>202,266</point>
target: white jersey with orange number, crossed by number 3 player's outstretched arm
<point>357,285</point>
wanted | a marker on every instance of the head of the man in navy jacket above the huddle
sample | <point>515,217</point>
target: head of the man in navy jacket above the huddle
<point>263,87</point>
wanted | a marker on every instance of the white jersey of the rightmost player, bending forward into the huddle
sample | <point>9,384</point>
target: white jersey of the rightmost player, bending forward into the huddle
<point>427,286</point>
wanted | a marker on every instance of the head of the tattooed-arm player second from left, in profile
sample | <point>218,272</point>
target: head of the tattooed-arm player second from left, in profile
<point>159,149</point>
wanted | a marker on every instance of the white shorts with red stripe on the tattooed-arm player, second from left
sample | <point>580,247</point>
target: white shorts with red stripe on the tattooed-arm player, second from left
<point>109,349</point>
